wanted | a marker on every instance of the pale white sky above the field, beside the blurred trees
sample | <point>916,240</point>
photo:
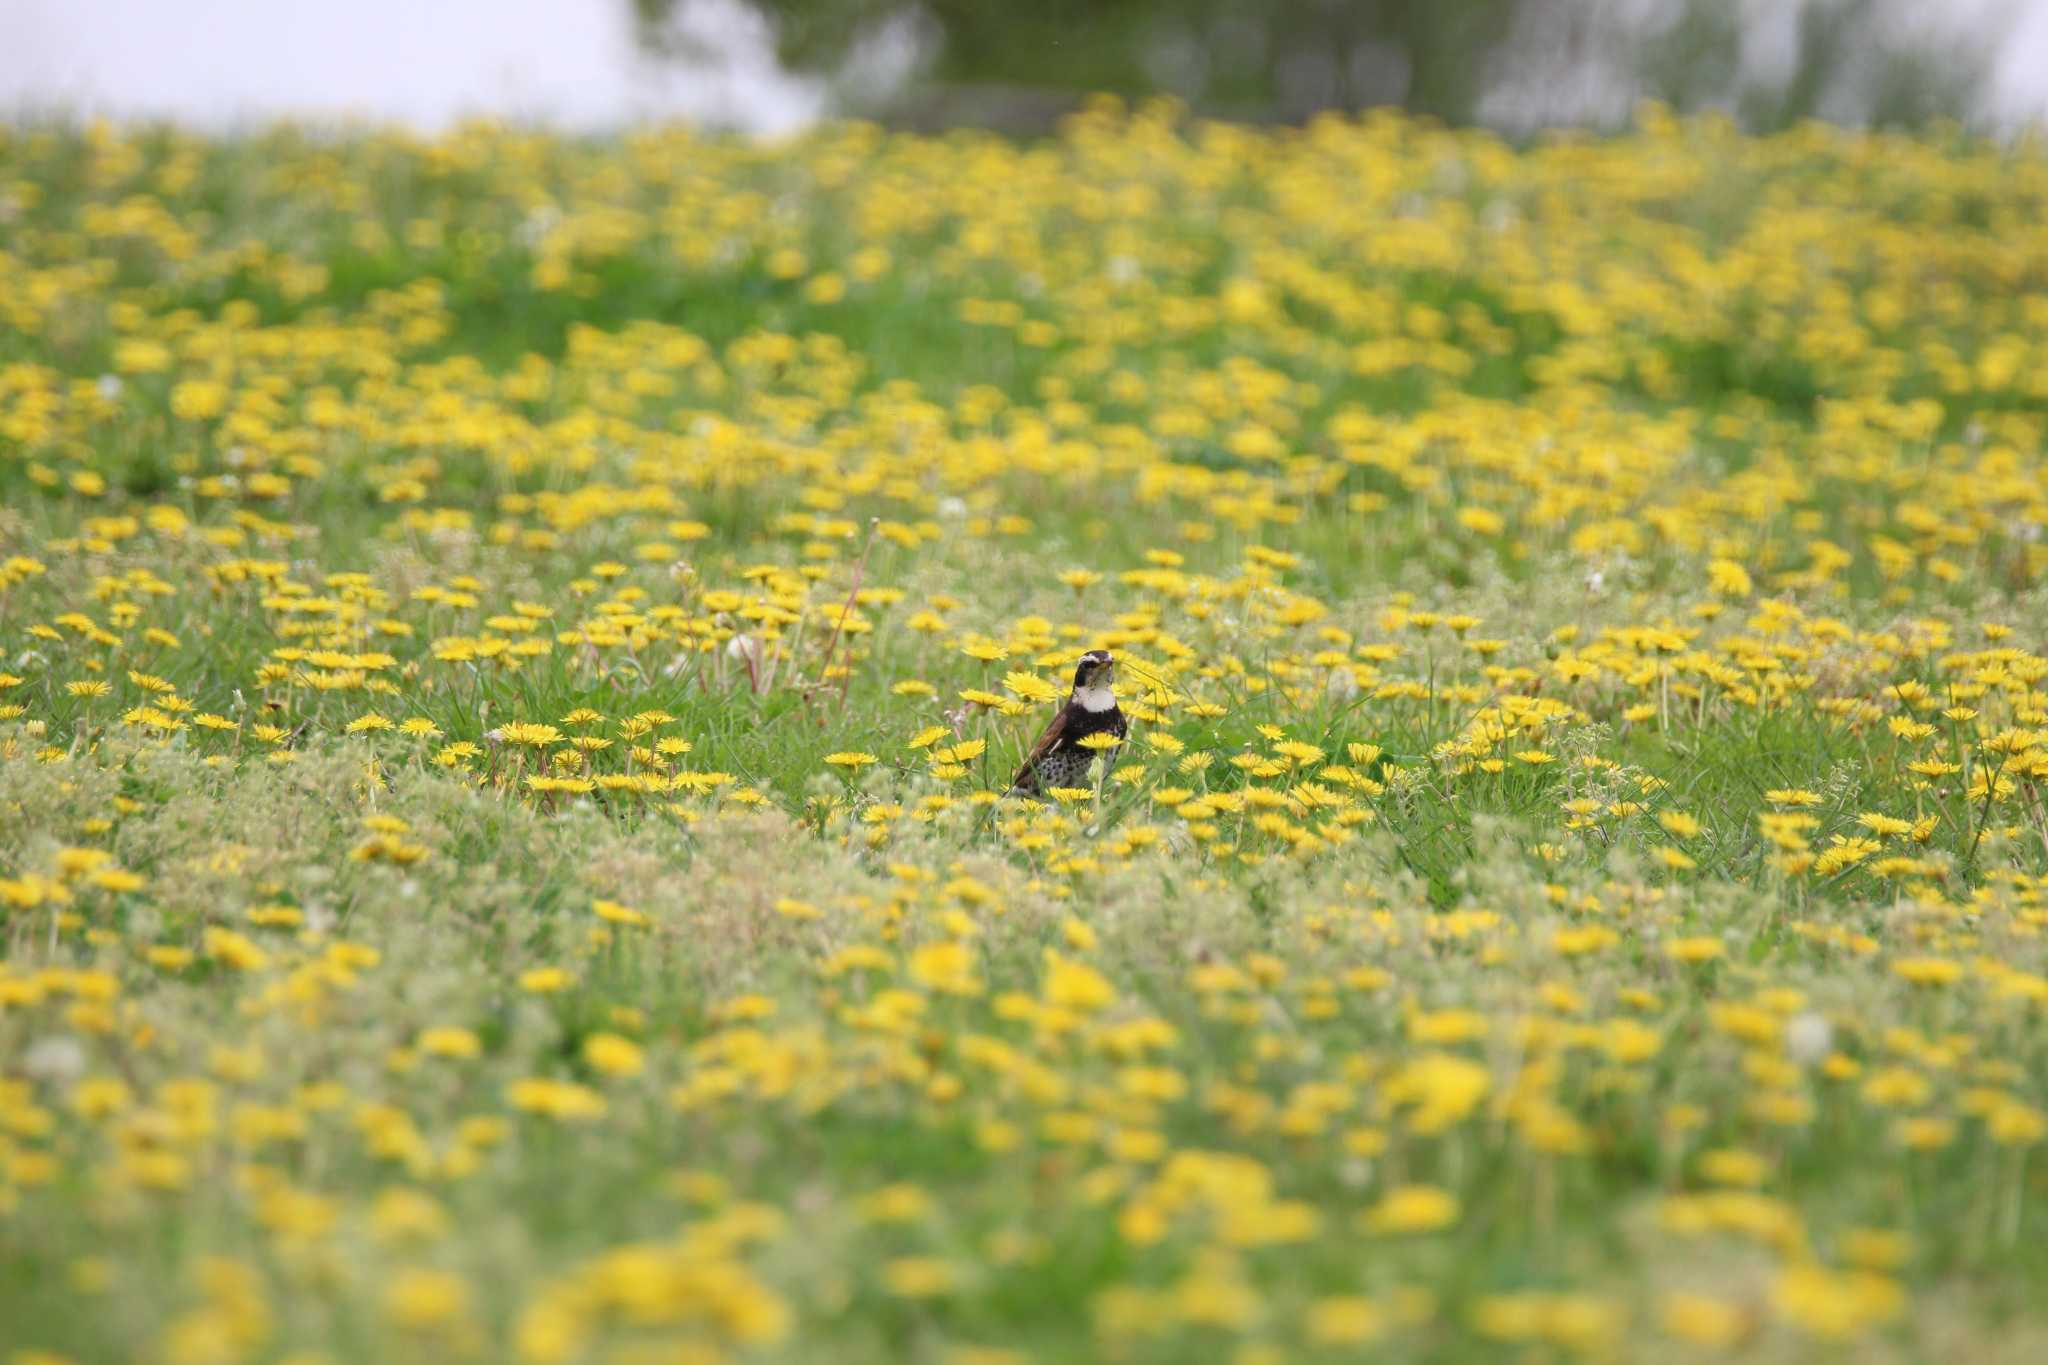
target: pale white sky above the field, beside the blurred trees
<point>568,62</point>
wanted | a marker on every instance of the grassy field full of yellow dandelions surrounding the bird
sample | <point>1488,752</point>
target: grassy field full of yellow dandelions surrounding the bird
<point>511,652</point>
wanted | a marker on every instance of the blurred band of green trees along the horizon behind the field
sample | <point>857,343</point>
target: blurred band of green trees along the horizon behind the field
<point>1770,62</point>
